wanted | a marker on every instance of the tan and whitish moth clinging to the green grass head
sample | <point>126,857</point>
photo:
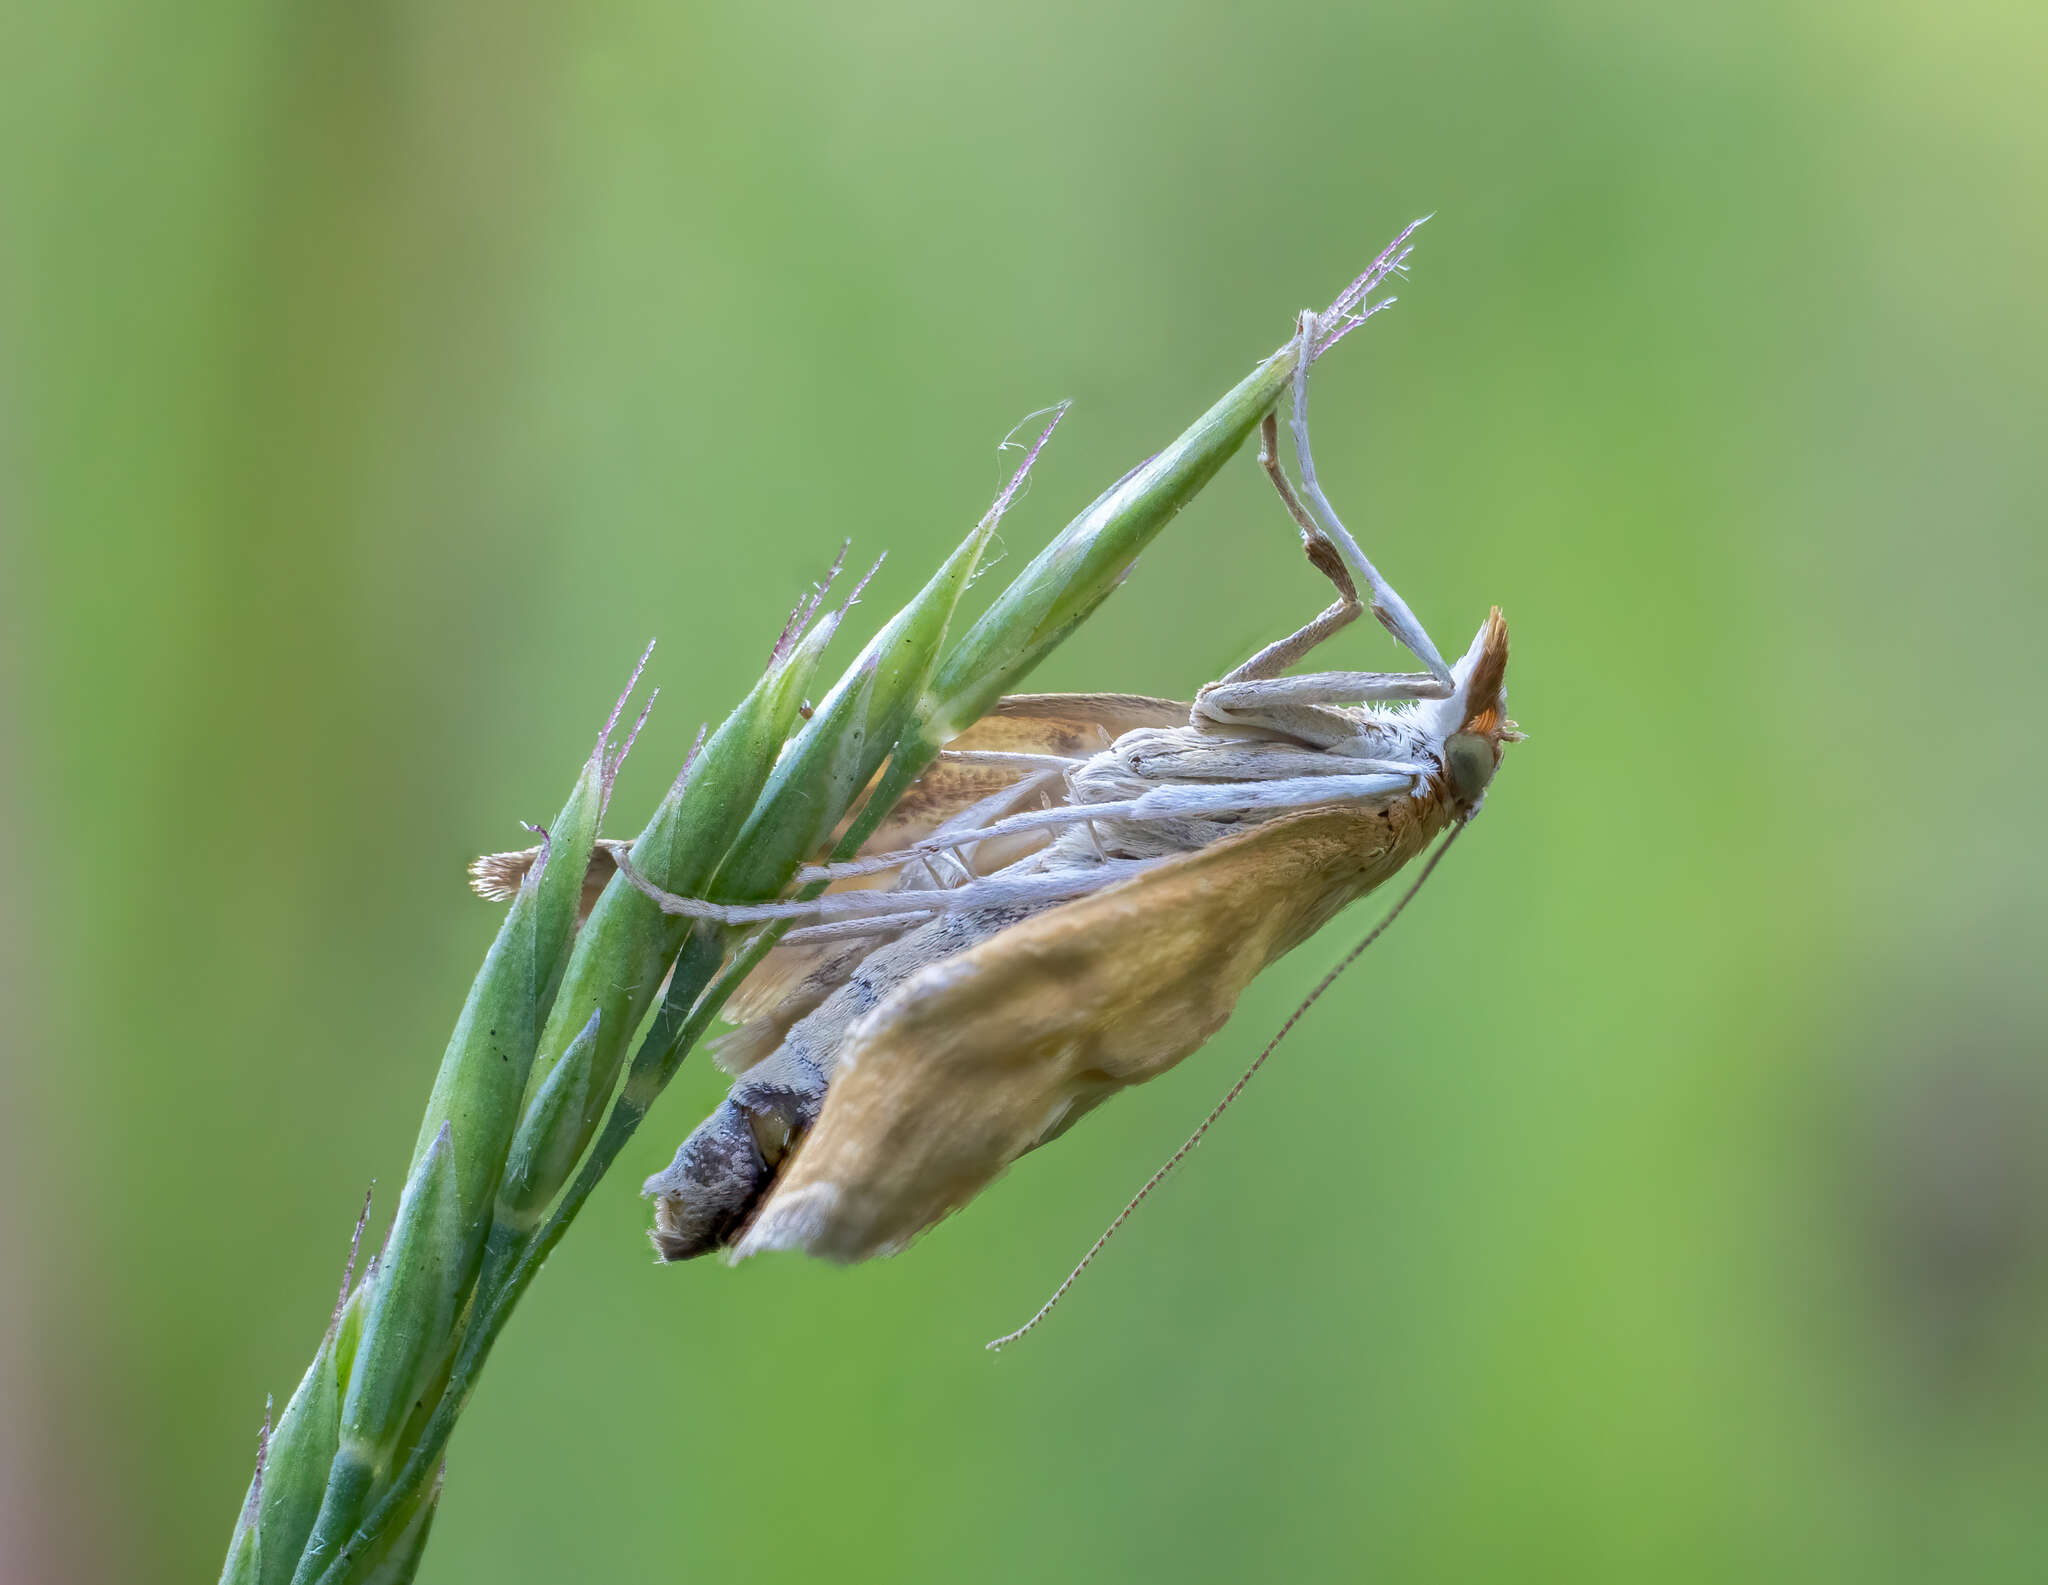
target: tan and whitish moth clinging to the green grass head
<point>1068,904</point>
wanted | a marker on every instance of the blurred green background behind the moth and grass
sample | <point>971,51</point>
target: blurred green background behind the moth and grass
<point>1666,1199</point>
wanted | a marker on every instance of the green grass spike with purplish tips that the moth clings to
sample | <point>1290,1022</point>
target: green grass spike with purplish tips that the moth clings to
<point>527,1111</point>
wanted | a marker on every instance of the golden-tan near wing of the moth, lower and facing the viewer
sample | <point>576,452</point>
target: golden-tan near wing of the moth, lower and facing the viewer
<point>998,1049</point>
